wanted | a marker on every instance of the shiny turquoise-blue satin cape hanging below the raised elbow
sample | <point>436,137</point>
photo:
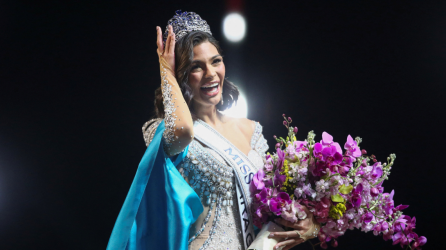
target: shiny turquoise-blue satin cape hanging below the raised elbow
<point>160,206</point>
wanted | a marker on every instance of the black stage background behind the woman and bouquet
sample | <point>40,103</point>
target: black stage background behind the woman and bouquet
<point>78,79</point>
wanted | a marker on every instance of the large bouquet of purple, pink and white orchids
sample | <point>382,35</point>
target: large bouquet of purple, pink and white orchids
<point>343,189</point>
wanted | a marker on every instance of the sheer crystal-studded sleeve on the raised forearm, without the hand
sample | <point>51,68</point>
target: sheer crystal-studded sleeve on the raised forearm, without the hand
<point>177,117</point>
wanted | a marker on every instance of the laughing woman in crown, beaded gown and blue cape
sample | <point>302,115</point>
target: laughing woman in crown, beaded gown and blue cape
<point>199,162</point>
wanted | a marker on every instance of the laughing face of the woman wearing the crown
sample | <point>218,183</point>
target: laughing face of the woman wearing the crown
<point>207,75</point>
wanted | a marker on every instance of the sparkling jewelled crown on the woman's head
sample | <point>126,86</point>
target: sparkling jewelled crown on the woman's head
<point>185,22</point>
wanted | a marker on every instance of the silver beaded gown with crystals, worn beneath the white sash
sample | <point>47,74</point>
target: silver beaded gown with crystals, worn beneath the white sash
<point>219,226</point>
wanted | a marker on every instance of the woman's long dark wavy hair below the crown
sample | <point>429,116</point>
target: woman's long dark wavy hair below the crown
<point>184,54</point>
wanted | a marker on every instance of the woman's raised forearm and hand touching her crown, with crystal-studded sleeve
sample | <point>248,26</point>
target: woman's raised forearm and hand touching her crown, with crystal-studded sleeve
<point>177,117</point>
